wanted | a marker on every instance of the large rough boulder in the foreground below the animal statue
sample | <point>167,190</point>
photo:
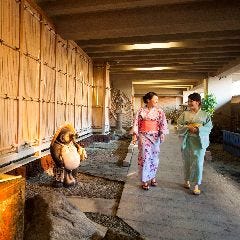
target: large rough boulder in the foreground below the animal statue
<point>49,216</point>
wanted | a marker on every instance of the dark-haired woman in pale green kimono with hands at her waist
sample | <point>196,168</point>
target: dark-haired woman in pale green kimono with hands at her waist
<point>194,127</point>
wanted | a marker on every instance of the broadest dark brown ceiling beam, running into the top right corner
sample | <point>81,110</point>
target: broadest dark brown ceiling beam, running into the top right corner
<point>181,18</point>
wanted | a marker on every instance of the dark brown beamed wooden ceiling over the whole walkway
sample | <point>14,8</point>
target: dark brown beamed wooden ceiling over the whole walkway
<point>206,35</point>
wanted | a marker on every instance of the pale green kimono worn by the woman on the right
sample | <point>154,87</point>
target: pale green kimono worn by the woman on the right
<point>193,146</point>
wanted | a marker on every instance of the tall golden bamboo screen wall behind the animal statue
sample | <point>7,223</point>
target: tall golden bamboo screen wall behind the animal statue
<point>44,79</point>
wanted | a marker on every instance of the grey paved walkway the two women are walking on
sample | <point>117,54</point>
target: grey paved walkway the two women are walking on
<point>171,212</point>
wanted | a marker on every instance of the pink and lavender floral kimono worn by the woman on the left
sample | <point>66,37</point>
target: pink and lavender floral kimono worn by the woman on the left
<point>149,141</point>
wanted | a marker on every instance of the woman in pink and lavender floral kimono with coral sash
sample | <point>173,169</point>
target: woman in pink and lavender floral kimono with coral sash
<point>150,127</point>
